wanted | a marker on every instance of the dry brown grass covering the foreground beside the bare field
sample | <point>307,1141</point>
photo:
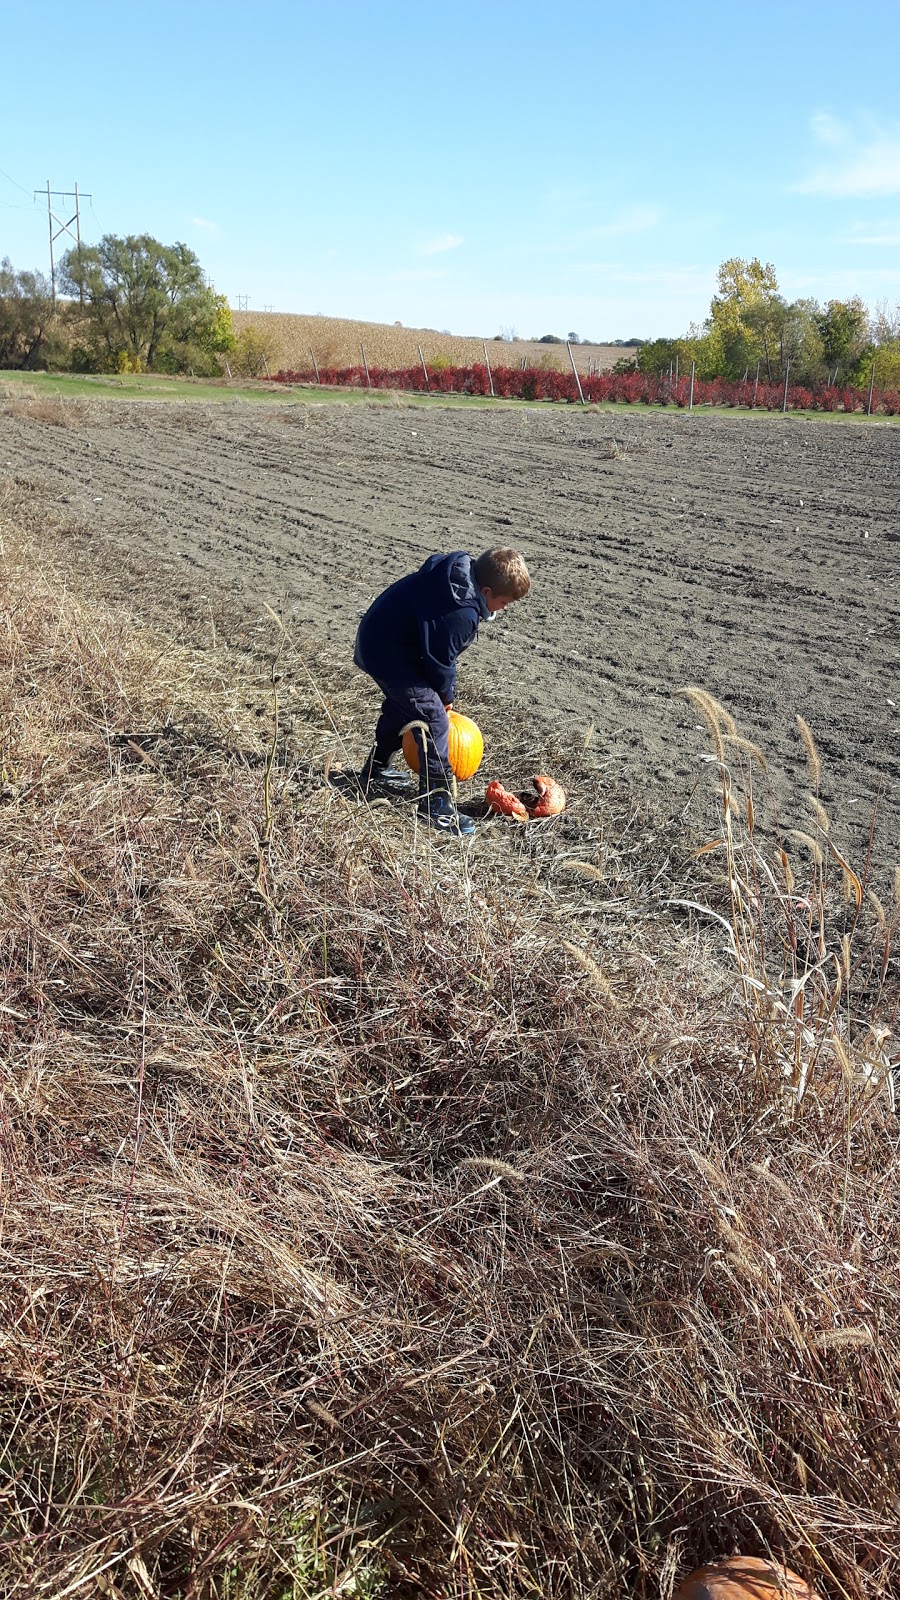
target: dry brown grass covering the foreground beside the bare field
<point>390,1220</point>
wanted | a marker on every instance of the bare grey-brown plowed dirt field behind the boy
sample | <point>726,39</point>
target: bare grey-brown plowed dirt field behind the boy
<point>758,558</point>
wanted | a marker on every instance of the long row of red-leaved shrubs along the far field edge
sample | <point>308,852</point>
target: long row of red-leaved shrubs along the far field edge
<point>536,383</point>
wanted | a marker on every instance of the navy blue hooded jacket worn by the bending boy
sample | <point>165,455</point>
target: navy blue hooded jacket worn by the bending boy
<point>414,633</point>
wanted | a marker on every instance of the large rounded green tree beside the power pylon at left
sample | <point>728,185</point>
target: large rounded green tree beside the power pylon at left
<point>148,305</point>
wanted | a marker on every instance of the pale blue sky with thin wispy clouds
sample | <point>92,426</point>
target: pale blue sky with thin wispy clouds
<point>475,166</point>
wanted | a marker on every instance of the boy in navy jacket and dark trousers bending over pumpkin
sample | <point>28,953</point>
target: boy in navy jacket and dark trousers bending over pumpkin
<point>409,642</point>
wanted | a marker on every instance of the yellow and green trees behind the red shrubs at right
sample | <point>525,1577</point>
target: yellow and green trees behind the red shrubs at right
<point>753,329</point>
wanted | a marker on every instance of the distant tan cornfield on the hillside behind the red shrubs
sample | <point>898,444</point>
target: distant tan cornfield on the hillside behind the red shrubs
<point>335,342</point>
